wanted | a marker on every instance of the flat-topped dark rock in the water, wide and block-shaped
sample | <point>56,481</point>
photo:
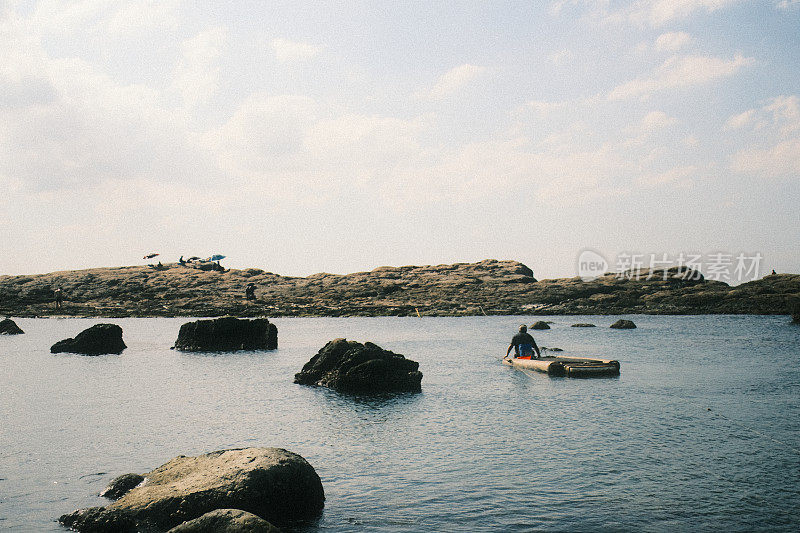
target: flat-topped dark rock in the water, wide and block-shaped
<point>227,334</point>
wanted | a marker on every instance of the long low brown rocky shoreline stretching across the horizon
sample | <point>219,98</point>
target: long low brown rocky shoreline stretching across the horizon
<point>488,287</point>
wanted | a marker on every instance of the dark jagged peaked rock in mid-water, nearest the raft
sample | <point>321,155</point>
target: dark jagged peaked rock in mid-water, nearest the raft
<point>349,366</point>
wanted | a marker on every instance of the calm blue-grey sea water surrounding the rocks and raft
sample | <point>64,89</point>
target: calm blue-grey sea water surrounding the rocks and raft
<point>700,432</point>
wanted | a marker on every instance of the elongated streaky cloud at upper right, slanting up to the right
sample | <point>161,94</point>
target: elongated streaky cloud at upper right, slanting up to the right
<point>680,72</point>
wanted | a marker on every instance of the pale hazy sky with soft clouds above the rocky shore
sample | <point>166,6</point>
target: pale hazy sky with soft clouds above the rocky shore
<point>303,137</point>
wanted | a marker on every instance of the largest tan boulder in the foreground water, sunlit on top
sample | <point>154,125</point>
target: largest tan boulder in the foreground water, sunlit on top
<point>274,484</point>
